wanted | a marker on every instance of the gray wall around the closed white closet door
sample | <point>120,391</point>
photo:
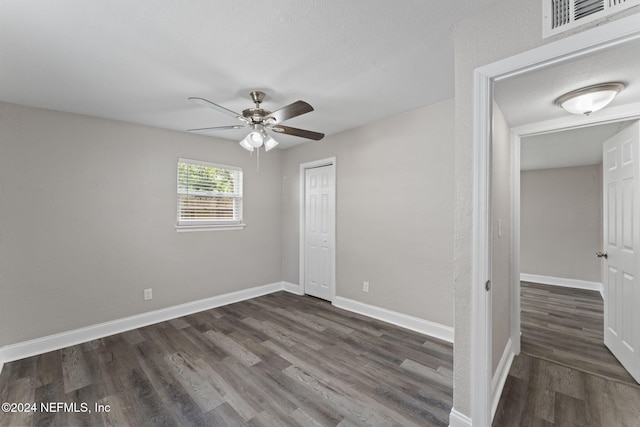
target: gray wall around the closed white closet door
<point>405,252</point>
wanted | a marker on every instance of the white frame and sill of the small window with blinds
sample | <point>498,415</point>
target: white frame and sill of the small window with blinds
<point>211,225</point>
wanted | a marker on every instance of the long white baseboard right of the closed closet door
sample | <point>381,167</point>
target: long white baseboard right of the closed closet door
<point>426,327</point>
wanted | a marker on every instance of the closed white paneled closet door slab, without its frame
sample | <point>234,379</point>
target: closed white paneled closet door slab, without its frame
<point>319,235</point>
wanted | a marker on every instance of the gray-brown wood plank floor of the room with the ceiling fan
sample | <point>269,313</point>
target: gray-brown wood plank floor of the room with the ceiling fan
<point>276,360</point>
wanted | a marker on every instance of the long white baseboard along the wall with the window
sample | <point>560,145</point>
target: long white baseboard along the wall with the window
<point>77,336</point>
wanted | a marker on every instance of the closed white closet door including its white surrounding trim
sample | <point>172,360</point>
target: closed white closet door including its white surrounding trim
<point>317,228</point>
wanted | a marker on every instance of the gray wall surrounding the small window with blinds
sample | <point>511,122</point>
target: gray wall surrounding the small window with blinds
<point>88,209</point>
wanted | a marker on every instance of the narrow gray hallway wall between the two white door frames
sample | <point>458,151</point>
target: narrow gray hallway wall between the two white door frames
<point>501,278</point>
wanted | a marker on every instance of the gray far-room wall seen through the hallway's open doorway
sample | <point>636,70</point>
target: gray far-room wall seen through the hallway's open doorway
<point>561,222</point>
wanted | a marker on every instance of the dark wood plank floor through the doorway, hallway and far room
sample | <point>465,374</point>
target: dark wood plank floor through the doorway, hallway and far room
<point>565,376</point>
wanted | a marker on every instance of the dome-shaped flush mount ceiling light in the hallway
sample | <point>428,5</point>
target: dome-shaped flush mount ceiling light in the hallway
<point>589,99</point>
